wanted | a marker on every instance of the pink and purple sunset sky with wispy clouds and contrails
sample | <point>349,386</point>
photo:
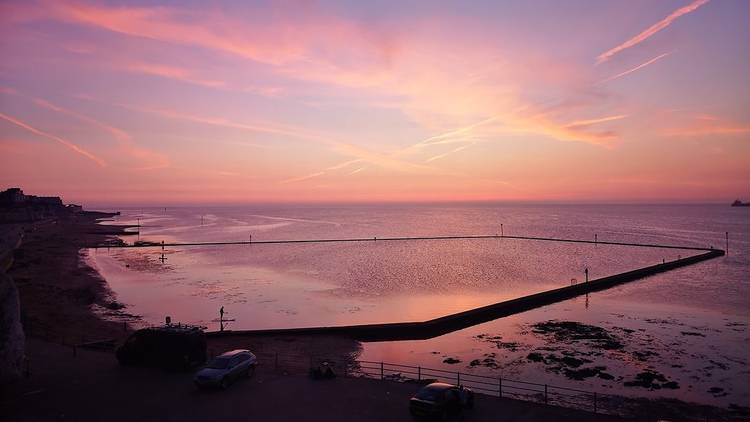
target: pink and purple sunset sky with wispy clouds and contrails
<point>192,102</point>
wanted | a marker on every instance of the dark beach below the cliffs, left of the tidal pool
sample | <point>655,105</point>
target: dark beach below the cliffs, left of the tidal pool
<point>57,288</point>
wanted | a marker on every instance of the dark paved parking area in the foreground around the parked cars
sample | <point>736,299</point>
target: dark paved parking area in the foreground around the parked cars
<point>92,387</point>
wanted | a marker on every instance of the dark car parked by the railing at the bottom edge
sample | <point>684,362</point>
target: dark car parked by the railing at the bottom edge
<point>440,401</point>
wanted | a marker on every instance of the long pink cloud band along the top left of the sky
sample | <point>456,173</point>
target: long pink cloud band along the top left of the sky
<point>288,38</point>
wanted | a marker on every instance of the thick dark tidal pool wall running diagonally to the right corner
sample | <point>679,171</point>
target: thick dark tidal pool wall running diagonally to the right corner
<point>443,325</point>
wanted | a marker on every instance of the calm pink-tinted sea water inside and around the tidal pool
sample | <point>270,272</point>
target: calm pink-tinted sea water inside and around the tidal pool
<point>290,285</point>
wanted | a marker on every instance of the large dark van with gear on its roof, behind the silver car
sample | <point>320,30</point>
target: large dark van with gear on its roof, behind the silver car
<point>168,346</point>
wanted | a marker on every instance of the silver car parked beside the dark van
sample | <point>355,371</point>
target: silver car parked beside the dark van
<point>226,368</point>
